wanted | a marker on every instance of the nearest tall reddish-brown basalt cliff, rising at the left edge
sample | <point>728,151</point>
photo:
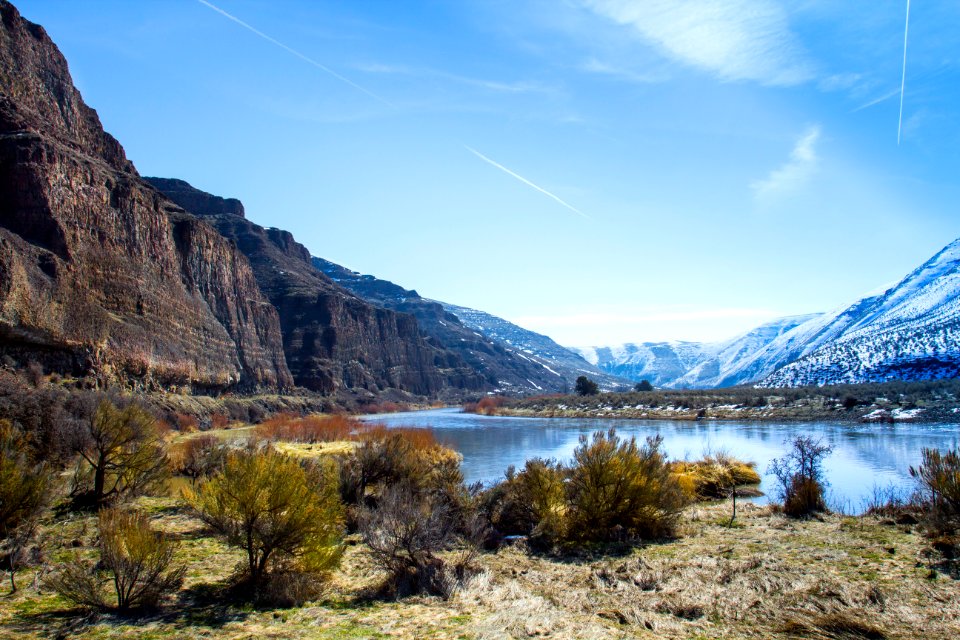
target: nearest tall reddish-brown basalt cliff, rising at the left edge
<point>100,274</point>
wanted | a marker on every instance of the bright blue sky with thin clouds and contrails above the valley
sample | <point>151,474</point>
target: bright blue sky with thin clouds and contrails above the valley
<point>601,171</point>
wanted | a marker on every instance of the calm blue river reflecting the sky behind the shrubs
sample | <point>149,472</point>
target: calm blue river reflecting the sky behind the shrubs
<point>864,456</point>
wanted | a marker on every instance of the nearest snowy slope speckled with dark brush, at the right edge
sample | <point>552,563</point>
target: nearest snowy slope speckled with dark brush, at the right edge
<point>910,331</point>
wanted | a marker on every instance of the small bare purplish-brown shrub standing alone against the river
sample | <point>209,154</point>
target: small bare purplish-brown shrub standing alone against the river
<point>800,476</point>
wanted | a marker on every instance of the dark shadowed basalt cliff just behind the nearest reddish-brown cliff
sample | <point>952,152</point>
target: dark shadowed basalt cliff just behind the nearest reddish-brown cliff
<point>333,340</point>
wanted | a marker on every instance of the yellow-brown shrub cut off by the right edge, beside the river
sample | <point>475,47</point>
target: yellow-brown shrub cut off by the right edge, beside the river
<point>939,479</point>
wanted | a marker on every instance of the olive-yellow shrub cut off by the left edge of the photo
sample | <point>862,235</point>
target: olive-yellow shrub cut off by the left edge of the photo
<point>24,491</point>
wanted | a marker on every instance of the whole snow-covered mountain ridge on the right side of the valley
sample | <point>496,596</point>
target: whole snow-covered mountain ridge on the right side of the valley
<point>910,331</point>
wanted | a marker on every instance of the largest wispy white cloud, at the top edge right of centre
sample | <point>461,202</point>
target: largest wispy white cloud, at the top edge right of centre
<point>734,39</point>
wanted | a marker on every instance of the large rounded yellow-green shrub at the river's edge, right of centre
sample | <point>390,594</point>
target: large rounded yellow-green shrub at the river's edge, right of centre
<point>617,486</point>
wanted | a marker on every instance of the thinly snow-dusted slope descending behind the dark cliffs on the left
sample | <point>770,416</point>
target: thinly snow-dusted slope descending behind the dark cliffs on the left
<point>535,347</point>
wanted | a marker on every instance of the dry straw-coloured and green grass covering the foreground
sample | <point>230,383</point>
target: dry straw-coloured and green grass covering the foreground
<point>765,576</point>
